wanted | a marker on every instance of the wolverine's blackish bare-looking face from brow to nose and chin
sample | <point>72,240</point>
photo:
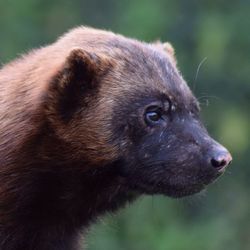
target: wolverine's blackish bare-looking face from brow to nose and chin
<point>169,150</point>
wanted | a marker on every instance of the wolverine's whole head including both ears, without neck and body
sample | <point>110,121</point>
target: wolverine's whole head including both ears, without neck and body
<point>144,118</point>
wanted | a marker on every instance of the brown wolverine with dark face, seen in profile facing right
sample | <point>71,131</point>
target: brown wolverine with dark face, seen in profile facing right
<point>88,124</point>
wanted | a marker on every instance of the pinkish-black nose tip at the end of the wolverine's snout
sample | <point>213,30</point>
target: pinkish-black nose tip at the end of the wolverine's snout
<point>221,159</point>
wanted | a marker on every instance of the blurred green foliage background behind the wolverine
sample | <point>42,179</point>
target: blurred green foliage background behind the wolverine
<point>216,33</point>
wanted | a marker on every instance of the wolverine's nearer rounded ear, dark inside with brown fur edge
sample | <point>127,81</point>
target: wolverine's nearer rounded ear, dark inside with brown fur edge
<point>77,81</point>
